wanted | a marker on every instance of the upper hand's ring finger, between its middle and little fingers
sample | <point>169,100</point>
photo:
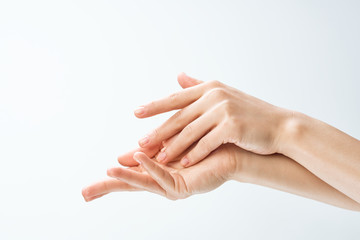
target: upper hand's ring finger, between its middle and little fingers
<point>191,133</point>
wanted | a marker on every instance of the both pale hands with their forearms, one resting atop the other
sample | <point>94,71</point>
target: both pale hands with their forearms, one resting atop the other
<point>222,134</point>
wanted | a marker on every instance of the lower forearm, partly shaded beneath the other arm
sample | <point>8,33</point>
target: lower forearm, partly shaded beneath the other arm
<point>280,172</point>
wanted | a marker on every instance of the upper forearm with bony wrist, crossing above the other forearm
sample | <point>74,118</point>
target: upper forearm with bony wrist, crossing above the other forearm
<point>330,154</point>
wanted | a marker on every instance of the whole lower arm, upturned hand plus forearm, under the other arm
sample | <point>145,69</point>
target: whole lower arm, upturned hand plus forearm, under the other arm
<point>228,162</point>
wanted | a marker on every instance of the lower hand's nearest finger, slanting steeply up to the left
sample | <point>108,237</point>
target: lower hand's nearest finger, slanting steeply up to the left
<point>161,176</point>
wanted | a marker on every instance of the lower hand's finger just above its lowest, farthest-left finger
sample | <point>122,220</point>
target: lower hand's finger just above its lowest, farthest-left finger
<point>136,179</point>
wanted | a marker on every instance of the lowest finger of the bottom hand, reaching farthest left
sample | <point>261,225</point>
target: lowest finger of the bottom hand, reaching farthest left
<point>104,187</point>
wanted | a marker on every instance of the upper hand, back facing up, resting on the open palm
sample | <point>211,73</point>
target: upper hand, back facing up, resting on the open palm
<point>213,114</point>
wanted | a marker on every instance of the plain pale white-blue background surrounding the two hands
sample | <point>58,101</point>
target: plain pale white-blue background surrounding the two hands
<point>71,73</point>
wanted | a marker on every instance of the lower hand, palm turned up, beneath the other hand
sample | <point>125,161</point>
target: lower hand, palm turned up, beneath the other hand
<point>172,181</point>
